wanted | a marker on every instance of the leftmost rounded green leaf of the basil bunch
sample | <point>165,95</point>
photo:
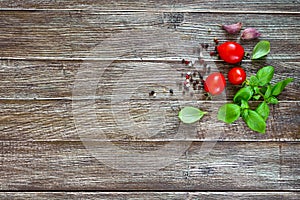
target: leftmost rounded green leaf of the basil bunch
<point>229,113</point>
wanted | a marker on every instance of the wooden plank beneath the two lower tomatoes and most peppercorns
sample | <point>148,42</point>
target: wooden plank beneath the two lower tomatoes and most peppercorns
<point>23,79</point>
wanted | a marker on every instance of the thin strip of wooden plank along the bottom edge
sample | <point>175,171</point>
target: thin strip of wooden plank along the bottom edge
<point>150,195</point>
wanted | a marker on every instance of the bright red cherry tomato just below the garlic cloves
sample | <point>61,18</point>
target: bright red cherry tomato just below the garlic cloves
<point>231,52</point>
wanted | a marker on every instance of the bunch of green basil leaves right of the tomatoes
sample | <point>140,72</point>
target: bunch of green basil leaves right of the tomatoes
<point>258,87</point>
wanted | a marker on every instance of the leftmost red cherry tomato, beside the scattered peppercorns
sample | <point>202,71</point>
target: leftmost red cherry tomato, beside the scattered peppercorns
<point>215,83</point>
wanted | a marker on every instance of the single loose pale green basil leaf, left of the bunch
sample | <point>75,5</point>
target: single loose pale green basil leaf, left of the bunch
<point>190,114</point>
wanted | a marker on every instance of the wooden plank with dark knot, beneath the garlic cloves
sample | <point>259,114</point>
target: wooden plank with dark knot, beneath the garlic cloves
<point>76,35</point>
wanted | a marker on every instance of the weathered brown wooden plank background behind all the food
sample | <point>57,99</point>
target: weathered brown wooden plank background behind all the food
<point>43,46</point>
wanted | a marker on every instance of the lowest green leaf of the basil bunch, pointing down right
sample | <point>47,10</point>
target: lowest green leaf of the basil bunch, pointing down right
<point>255,121</point>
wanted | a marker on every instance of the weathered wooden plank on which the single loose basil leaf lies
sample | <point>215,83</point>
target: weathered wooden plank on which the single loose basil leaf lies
<point>55,121</point>
